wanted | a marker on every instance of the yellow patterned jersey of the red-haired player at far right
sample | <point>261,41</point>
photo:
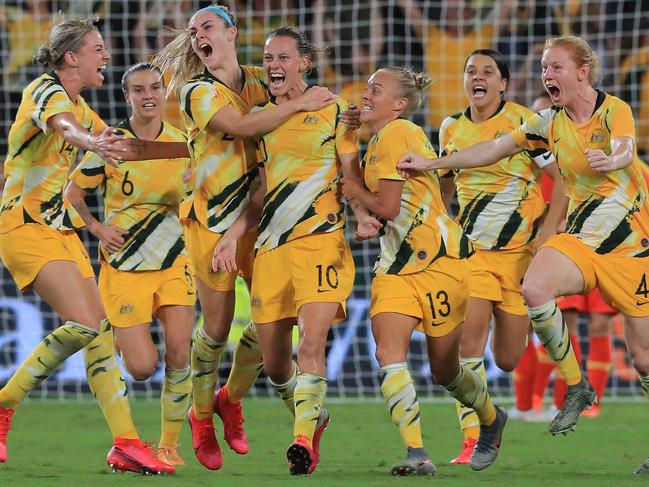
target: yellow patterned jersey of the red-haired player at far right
<point>607,211</point>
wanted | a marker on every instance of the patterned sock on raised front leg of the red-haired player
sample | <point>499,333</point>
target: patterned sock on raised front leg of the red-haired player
<point>548,324</point>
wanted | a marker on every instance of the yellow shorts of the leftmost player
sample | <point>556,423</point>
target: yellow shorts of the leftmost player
<point>26,249</point>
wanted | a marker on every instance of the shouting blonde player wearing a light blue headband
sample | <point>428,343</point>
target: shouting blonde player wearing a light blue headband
<point>216,94</point>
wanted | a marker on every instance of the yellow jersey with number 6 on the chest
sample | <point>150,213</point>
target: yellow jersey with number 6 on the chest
<point>141,197</point>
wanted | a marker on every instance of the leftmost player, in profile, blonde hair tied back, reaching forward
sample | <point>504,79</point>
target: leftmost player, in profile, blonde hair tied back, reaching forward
<point>38,244</point>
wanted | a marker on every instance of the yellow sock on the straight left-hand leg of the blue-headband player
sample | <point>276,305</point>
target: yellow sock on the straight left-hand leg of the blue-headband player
<point>206,355</point>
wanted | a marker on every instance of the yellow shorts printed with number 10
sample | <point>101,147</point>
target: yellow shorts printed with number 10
<point>312,269</point>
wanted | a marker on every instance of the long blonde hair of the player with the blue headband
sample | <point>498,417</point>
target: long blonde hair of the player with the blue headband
<point>178,57</point>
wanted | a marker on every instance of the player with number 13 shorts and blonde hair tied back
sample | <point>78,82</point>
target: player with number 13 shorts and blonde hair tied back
<point>422,276</point>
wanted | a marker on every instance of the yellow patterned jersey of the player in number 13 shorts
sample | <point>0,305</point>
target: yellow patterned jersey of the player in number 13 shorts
<point>423,231</point>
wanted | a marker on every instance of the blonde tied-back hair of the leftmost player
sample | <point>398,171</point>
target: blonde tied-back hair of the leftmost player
<point>66,36</point>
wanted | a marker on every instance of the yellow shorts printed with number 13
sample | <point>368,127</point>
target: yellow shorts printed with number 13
<point>437,295</point>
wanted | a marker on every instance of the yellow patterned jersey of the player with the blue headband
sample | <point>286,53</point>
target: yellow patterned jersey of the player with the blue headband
<point>225,166</point>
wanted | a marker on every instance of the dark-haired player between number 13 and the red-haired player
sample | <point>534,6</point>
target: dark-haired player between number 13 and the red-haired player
<point>501,209</point>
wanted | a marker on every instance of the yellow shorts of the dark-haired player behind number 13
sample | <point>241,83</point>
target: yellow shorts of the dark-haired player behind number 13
<point>497,275</point>
